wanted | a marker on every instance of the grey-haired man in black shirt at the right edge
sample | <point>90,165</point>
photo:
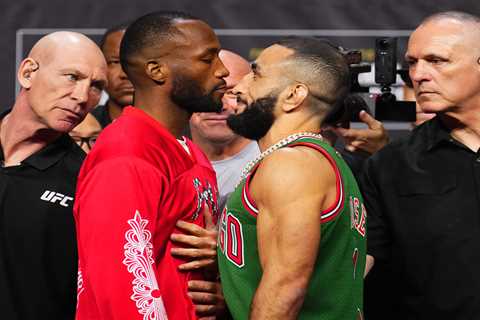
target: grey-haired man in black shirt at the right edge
<point>422,192</point>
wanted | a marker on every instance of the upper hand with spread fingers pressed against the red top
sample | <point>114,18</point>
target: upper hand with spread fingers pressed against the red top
<point>199,244</point>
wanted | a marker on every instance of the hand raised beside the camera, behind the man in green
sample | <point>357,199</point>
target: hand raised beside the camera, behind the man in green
<point>369,140</point>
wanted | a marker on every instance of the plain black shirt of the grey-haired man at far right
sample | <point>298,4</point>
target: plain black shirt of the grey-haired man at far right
<point>423,205</point>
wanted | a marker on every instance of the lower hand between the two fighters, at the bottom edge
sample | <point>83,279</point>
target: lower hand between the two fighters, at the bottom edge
<point>208,299</point>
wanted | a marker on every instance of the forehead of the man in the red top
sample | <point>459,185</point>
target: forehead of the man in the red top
<point>196,36</point>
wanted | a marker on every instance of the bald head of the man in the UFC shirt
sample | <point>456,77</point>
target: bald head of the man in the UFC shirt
<point>62,80</point>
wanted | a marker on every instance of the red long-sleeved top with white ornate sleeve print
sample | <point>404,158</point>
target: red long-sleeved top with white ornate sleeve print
<point>135,184</point>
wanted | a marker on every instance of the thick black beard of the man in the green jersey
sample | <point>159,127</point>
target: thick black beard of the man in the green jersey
<point>256,120</point>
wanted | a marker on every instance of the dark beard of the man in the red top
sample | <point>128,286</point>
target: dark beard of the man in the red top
<point>188,95</point>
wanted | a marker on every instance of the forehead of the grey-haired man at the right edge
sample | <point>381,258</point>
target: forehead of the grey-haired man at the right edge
<point>438,37</point>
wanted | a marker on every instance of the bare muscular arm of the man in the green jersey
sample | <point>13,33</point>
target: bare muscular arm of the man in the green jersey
<point>291,188</point>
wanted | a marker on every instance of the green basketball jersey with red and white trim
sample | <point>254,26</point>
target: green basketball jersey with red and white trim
<point>335,290</point>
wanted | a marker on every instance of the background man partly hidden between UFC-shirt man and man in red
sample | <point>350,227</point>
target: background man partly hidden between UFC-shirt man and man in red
<point>119,88</point>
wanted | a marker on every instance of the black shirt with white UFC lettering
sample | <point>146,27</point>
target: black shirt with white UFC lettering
<point>38,255</point>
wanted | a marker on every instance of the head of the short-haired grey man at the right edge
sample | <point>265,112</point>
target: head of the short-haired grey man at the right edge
<point>443,55</point>
